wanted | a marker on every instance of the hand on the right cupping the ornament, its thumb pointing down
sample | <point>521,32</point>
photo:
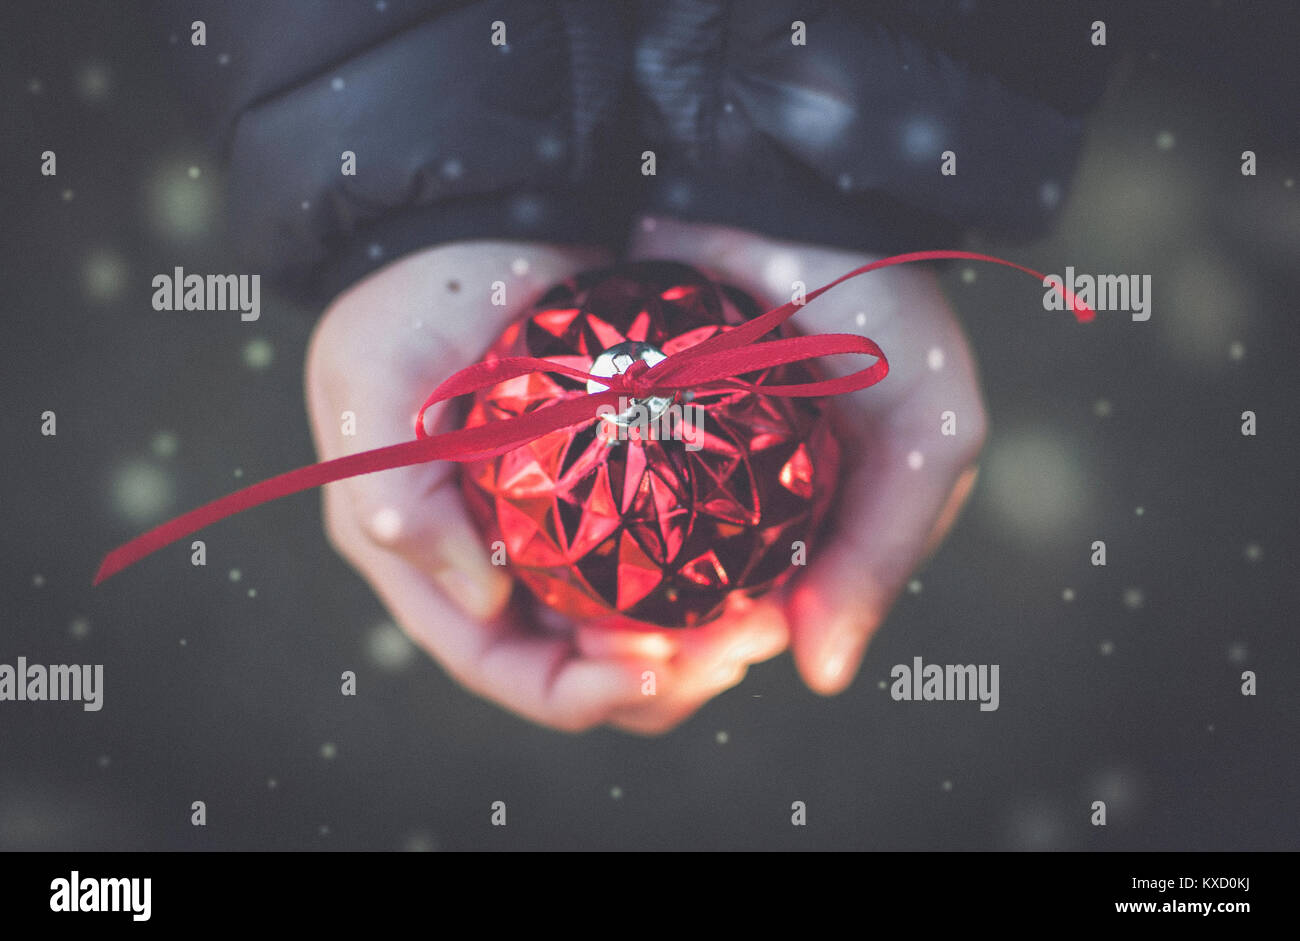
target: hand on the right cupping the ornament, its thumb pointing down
<point>904,482</point>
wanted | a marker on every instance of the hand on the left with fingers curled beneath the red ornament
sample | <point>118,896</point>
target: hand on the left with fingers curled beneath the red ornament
<point>378,353</point>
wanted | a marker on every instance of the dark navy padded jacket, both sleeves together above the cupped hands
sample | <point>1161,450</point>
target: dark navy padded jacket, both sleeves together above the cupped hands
<point>838,141</point>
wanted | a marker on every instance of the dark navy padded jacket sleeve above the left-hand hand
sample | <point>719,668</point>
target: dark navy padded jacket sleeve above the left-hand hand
<point>454,137</point>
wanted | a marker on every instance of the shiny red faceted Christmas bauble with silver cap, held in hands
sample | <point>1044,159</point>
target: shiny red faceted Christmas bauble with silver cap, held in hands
<point>664,508</point>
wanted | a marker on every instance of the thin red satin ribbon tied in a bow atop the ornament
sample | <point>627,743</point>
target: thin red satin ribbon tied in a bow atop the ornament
<point>713,365</point>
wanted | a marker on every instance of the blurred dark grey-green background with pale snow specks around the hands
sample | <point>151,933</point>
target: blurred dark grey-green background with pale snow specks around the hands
<point>223,683</point>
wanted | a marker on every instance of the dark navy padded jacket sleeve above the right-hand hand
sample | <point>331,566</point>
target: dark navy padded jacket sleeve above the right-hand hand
<point>840,140</point>
